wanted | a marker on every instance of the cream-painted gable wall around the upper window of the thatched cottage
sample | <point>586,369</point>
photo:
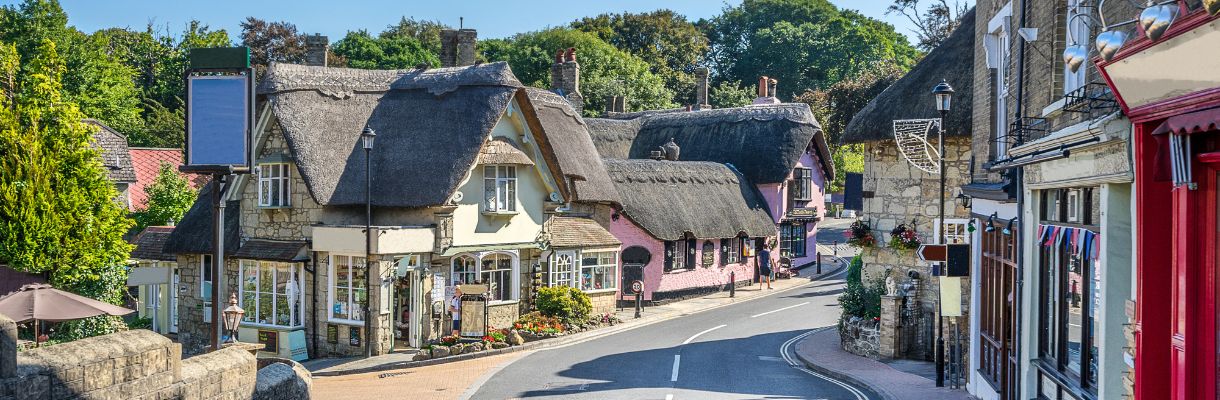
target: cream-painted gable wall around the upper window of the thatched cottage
<point>472,227</point>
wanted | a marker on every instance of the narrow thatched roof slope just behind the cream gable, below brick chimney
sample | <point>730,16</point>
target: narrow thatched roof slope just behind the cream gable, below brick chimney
<point>565,132</point>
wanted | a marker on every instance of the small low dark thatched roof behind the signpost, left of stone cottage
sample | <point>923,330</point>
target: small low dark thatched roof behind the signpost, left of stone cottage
<point>195,234</point>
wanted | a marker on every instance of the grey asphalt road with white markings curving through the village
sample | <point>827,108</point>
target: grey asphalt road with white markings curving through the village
<point>737,352</point>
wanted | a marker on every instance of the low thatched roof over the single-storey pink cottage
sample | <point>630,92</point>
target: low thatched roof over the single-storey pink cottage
<point>707,199</point>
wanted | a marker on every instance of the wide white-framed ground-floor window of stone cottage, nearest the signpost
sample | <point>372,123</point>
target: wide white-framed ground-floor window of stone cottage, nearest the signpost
<point>292,292</point>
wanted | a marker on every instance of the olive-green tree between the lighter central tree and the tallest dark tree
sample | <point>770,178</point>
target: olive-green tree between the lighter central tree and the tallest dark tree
<point>670,45</point>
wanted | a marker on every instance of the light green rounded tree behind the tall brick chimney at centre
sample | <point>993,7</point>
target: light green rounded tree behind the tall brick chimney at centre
<point>605,70</point>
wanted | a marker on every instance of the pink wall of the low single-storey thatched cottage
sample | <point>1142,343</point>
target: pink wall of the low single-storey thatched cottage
<point>657,280</point>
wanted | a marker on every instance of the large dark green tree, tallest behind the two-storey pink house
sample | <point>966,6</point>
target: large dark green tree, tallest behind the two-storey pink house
<point>805,45</point>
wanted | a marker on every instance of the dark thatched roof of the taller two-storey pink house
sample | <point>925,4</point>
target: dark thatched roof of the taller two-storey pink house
<point>763,142</point>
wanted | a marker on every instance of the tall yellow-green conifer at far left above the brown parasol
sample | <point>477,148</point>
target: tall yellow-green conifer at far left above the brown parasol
<point>58,214</point>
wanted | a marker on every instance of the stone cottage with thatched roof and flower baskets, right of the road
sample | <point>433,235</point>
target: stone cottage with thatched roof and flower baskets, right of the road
<point>900,192</point>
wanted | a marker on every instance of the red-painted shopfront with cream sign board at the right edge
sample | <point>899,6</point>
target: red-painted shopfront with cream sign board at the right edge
<point>1171,90</point>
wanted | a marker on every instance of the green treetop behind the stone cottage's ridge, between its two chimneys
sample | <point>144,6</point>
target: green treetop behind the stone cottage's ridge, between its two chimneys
<point>389,53</point>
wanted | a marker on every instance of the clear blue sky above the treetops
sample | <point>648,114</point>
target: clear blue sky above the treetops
<point>493,19</point>
